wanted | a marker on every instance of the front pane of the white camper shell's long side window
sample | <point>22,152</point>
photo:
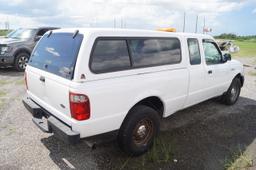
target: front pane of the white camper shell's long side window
<point>155,51</point>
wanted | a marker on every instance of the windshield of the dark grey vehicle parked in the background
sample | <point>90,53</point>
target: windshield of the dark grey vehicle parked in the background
<point>22,33</point>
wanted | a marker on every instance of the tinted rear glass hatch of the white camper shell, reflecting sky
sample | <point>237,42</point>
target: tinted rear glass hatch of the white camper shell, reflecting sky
<point>57,54</point>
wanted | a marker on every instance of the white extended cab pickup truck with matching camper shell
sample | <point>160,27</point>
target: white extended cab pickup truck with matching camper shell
<point>85,82</point>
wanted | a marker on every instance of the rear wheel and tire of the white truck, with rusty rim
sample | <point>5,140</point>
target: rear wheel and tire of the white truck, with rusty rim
<point>138,130</point>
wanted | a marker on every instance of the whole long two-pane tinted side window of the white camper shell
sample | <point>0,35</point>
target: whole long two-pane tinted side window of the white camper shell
<point>119,54</point>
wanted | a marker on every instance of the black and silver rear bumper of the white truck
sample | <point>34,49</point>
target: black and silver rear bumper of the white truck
<point>50,124</point>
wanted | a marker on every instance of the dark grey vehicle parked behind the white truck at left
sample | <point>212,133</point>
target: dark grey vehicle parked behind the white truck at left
<point>16,47</point>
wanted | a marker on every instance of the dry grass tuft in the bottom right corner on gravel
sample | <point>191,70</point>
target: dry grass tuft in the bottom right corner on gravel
<point>239,160</point>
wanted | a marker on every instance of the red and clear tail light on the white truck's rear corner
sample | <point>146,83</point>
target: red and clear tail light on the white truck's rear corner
<point>79,106</point>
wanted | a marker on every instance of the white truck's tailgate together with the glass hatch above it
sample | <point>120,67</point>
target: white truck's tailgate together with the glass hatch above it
<point>50,72</point>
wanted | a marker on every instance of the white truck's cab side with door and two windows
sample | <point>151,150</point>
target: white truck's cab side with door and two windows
<point>208,73</point>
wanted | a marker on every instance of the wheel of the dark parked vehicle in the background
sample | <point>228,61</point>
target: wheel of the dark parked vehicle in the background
<point>21,61</point>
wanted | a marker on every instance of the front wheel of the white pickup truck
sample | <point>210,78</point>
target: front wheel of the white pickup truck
<point>232,95</point>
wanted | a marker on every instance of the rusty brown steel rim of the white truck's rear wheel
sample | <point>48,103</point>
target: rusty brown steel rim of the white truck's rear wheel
<point>143,132</point>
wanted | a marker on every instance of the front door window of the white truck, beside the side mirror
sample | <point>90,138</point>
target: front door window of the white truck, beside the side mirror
<point>212,53</point>
